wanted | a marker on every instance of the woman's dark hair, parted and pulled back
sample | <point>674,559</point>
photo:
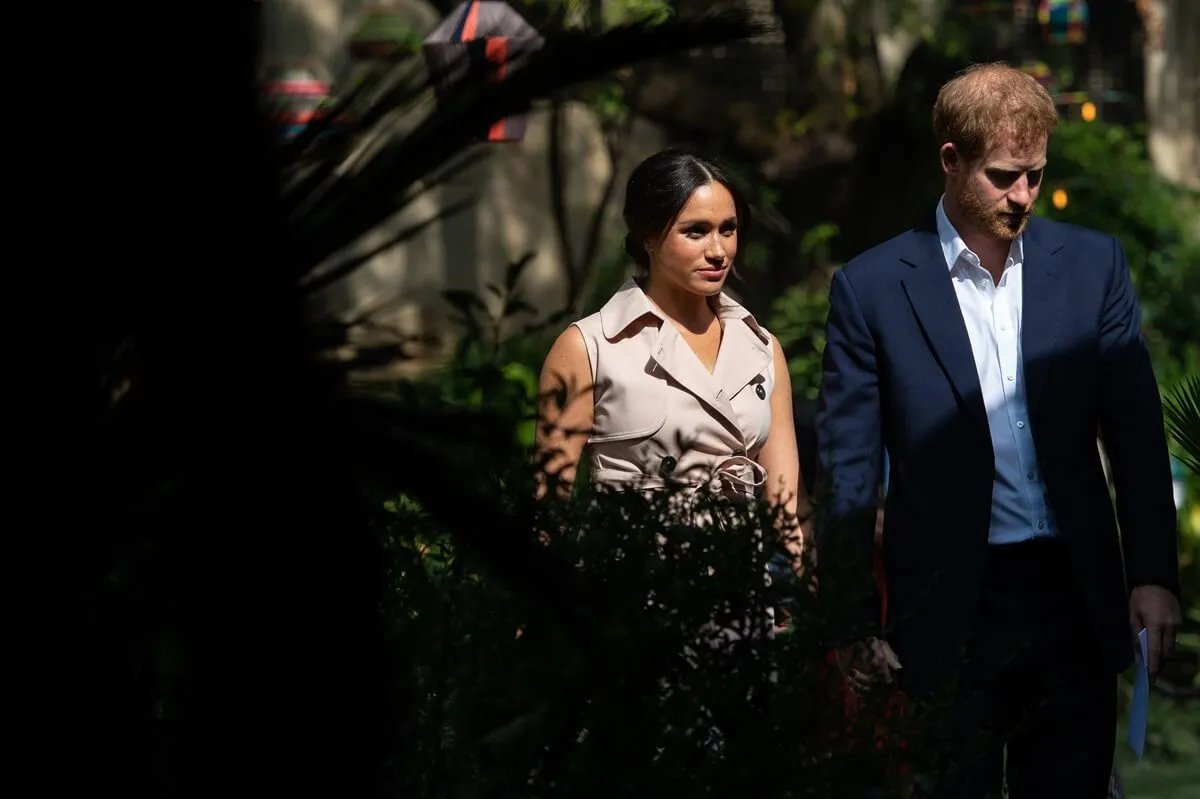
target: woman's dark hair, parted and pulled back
<point>658,190</point>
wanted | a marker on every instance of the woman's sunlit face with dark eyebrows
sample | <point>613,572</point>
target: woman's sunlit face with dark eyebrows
<point>698,251</point>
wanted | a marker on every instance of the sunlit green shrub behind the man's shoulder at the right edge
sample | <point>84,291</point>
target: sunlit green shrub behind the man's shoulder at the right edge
<point>1112,187</point>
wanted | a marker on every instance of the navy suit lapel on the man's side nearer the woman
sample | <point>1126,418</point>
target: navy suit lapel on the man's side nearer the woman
<point>931,292</point>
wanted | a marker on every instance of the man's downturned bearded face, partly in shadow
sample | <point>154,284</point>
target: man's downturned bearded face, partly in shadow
<point>997,193</point>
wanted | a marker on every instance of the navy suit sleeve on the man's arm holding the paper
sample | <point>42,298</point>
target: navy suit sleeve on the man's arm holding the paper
<point>1135,438</point>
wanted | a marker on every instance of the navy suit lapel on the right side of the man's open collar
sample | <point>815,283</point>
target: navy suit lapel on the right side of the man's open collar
<point>1043,295</point>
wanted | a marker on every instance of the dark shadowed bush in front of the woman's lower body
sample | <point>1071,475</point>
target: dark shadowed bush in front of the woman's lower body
<point>620,687</point>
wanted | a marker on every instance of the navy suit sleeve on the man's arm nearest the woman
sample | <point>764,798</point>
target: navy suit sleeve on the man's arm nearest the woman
<point>849,467</point>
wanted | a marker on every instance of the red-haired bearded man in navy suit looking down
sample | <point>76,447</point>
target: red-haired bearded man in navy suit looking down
<point>982,353</point>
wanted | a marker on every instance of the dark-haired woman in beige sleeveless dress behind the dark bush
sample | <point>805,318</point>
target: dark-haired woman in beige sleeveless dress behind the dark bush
<point>673,381</point>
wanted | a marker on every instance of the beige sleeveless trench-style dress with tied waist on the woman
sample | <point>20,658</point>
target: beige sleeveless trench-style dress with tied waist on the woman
<point>661,416</point>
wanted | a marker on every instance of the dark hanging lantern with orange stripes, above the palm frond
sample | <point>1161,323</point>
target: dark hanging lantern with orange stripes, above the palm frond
<point>482,39</point>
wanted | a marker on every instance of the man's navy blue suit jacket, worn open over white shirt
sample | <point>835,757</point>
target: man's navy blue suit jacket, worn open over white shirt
<point>899,375</point>
